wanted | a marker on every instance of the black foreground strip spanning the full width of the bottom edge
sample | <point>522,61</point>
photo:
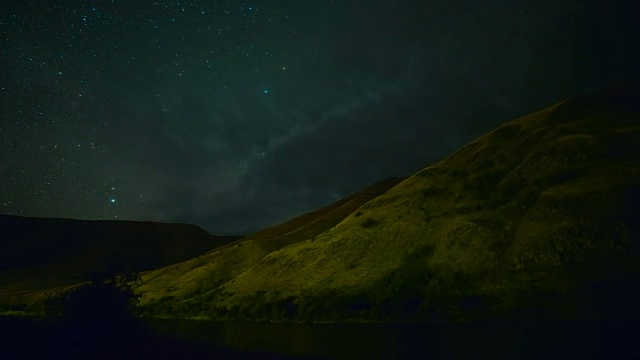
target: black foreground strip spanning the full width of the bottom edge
<point>27,337</point>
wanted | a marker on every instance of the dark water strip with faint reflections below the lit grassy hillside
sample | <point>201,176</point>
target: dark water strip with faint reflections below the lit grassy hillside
<point>378,341</point>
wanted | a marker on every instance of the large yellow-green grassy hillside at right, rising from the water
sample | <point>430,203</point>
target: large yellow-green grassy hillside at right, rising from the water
<point>537,219</point>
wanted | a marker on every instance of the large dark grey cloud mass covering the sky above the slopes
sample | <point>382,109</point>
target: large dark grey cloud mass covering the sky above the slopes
<point>388,95</point>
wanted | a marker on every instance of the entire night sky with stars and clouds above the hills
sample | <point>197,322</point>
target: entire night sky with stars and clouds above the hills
<point>236,115</point>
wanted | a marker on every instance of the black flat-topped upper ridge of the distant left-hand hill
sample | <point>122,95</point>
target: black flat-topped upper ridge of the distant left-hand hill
<point>27,241</point>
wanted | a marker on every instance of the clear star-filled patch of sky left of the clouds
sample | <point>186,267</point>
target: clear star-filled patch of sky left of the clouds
<point>76,69</point>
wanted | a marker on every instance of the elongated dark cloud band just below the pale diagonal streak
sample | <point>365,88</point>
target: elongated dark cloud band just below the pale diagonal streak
<point>352,146</point>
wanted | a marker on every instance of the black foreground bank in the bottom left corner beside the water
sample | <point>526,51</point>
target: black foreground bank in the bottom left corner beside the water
<point>24,338</point>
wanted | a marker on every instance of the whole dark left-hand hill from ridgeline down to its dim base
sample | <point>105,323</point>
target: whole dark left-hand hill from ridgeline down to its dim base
<point>41,254</point>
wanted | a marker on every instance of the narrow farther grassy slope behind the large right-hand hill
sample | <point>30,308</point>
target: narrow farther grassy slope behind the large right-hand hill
<point>184,289</point>
